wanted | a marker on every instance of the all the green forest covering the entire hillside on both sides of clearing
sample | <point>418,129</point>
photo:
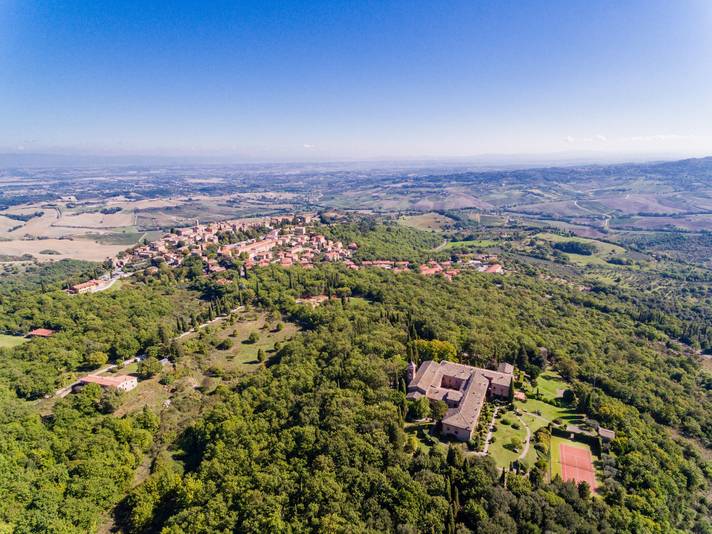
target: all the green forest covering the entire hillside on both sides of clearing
<point>314,439</point>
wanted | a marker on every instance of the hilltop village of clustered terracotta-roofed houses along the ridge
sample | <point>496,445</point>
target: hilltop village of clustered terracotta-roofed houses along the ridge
<point>286,241</point>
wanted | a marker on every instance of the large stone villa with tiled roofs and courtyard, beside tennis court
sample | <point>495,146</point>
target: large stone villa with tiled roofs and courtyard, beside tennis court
<point>463,388</point>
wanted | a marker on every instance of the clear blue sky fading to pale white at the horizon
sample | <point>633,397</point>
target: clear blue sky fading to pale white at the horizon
<point>329,79</point>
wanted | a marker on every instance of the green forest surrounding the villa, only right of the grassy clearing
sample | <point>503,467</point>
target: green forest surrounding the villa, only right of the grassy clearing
<point>315,441</point>
